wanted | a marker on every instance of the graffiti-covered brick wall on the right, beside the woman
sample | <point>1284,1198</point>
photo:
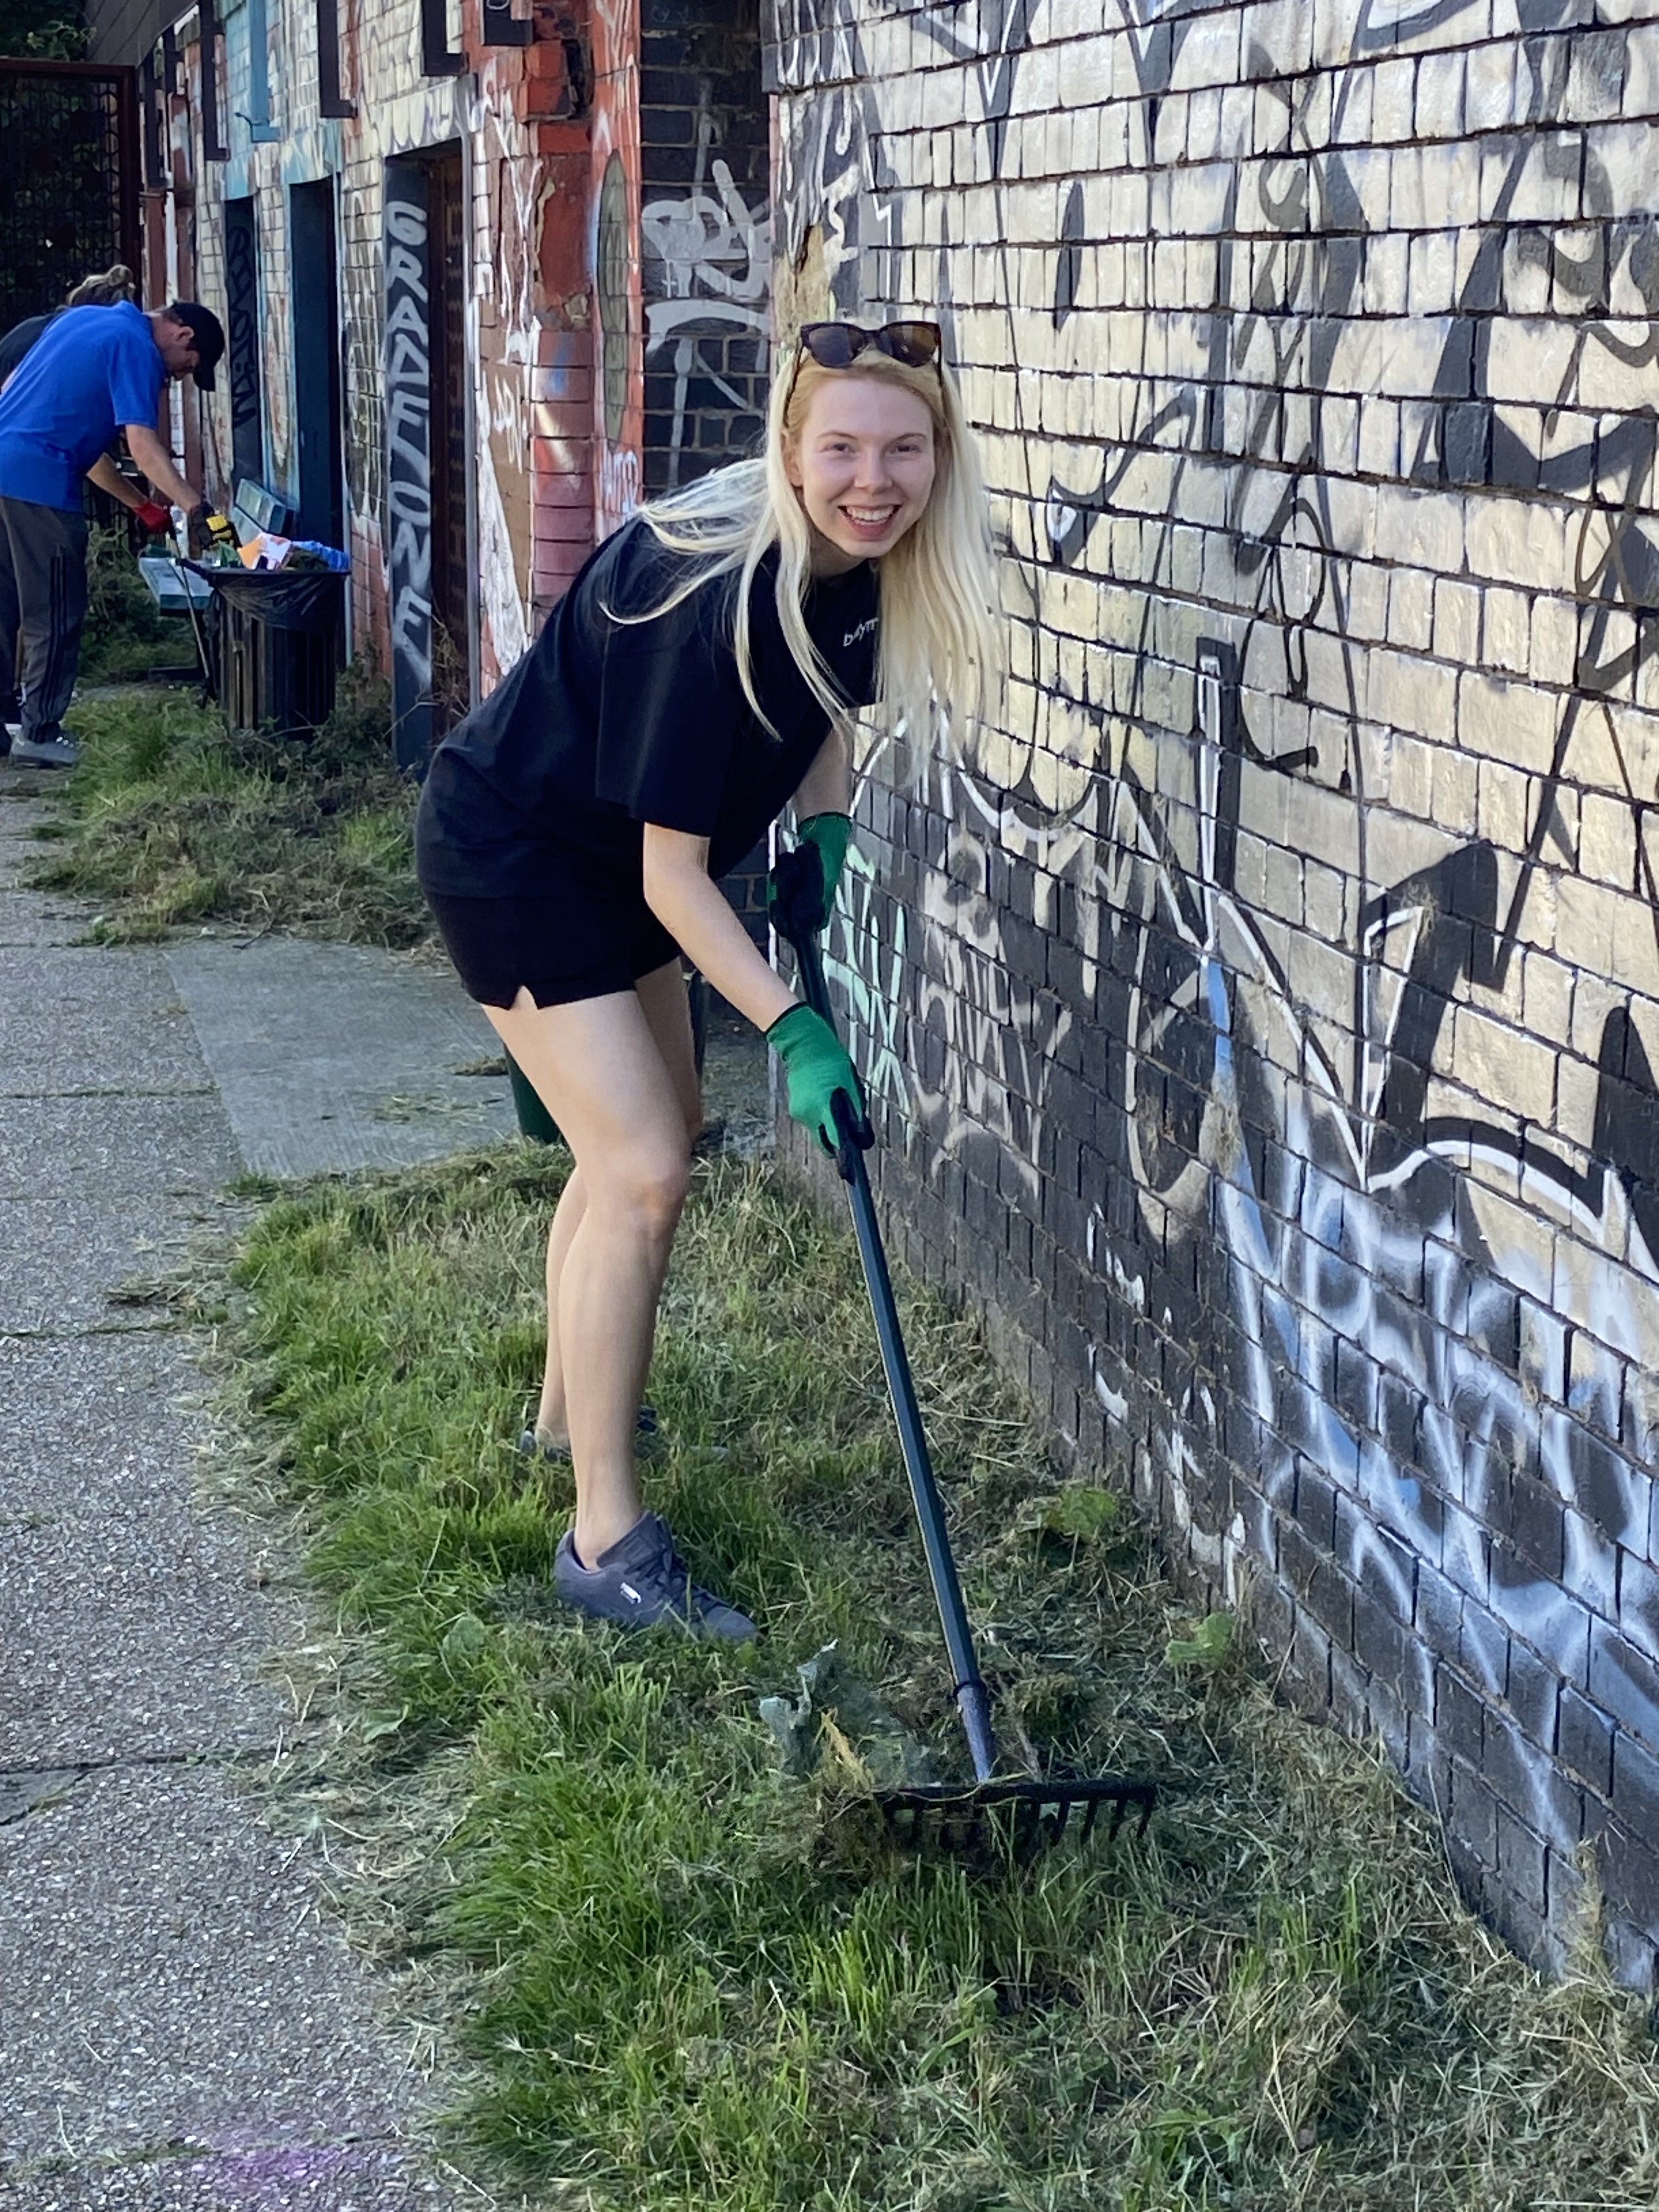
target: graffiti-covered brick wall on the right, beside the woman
<point>1264,1019</point>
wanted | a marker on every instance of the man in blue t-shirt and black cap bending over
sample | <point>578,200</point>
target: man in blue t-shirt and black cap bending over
<point>90,375</point>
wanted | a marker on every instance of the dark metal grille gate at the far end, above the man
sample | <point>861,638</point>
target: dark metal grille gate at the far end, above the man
<point>70,180</point>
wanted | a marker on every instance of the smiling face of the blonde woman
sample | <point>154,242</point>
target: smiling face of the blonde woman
<point>862,463</point>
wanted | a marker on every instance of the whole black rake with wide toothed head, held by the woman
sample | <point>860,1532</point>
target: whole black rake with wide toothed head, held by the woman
<point>1025,1811</point>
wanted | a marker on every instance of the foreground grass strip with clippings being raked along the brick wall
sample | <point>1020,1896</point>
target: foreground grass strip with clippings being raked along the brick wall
<point>689,1983</point>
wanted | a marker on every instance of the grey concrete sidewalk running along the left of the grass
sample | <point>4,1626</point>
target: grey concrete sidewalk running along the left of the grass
<point>182,2030</point>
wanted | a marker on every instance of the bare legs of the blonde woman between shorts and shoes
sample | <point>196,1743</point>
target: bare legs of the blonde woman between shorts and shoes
<point>627,1112</point>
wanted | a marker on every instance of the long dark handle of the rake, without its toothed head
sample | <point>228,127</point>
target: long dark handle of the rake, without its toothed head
<point>972,1700</point>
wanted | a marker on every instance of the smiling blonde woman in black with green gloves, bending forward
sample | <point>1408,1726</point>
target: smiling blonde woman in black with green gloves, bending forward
<point>696,680</point>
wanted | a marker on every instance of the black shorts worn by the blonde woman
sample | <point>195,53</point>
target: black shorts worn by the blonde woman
<point>510,946</point>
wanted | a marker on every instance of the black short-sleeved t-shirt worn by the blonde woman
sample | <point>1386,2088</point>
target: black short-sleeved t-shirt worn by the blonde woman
<point>612,724</point>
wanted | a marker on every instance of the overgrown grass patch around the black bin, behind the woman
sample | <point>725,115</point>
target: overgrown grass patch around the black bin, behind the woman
<point>169,820</point>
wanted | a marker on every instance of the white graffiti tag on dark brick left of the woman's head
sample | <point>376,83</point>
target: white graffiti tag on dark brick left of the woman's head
<point>707,280</point>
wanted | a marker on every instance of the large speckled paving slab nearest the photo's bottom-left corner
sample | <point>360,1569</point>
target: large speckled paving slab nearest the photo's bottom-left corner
<point>129,1897</point>
